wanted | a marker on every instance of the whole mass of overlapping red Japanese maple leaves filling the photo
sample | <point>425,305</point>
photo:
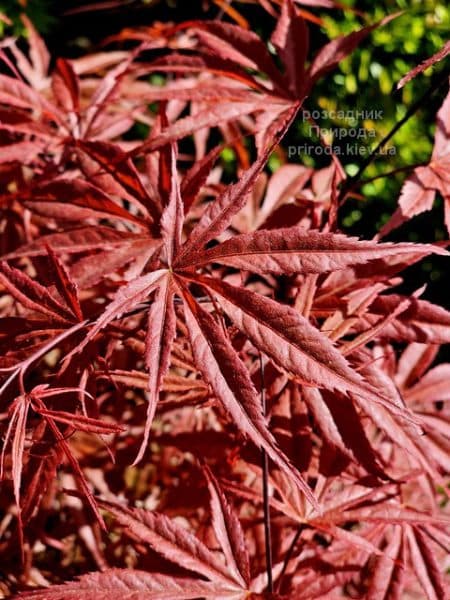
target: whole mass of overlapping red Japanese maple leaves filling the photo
<point>150,311</point>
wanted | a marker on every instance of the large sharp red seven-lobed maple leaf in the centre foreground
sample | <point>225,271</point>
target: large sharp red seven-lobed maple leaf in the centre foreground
<point>298,347</point>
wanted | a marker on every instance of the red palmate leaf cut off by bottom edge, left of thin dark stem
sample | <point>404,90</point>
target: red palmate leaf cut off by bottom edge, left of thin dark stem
<point>177,545</point>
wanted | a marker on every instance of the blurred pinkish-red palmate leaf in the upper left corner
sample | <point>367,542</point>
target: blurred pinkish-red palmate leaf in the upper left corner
<point>96,119</point>
